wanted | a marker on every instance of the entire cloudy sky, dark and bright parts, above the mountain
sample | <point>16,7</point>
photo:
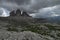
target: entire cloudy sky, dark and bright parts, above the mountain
<point>36,8</point>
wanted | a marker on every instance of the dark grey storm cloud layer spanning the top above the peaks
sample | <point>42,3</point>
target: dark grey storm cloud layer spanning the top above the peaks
<point>28,4</point>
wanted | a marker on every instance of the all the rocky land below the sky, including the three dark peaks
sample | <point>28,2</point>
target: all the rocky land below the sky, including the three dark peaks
<point>23,27</point>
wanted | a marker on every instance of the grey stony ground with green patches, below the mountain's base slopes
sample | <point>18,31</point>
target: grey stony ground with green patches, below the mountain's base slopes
<point>41,31</point>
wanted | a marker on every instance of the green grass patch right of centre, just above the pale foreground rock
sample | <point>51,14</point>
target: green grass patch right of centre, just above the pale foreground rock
<point>35,28</point>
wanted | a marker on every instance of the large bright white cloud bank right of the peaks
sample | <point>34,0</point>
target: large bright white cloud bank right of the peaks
<point>49,11</point>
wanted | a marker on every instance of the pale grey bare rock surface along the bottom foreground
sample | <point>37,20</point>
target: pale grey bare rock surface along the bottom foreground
<point>26,35</point>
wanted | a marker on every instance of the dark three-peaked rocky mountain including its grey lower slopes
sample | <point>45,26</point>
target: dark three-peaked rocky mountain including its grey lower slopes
<point>19,16</point>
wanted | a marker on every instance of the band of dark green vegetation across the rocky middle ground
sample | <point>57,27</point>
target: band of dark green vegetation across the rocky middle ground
<point>25,26</point>
